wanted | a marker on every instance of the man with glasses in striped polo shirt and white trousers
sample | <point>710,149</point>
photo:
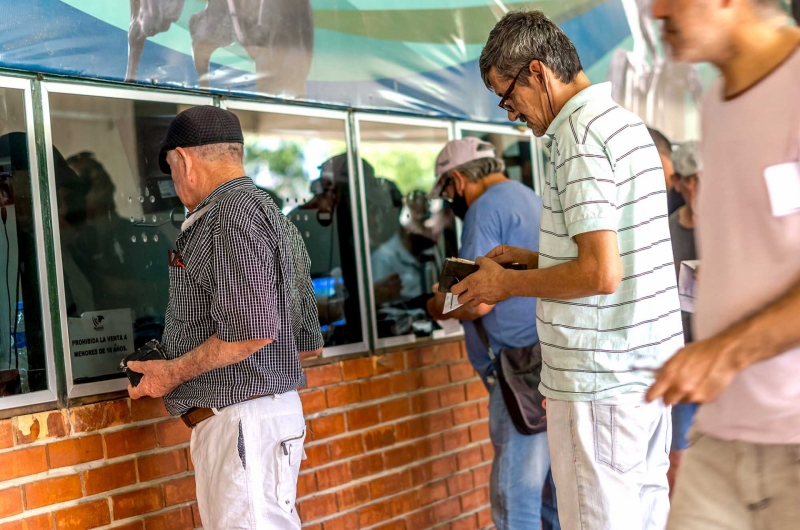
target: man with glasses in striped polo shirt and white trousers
<point>604,275</point>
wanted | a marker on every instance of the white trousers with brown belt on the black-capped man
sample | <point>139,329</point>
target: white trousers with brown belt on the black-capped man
<point>247,459</point>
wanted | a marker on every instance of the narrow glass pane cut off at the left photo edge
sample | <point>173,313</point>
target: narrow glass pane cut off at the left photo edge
<point>22,351</point>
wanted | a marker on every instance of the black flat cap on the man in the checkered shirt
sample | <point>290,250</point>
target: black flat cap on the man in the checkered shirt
<point>197,126</point>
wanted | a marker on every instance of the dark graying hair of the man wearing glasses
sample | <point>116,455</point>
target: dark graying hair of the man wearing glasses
<point>523,36</point>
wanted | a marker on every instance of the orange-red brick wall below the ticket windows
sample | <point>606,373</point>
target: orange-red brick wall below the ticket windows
<point>396,441</point>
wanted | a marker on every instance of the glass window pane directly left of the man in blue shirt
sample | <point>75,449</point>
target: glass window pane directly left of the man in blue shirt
<point>409,235</point>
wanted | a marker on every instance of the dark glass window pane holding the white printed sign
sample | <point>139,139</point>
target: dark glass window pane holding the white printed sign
<point>118,215</point>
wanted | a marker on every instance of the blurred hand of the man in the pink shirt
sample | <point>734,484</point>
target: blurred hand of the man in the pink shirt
<point>698,373</point>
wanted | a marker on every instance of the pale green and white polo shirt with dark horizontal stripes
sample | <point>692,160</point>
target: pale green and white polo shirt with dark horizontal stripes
<point>605,174</point>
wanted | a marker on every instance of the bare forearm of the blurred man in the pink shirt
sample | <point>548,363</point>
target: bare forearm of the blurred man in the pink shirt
<point>768,333</point>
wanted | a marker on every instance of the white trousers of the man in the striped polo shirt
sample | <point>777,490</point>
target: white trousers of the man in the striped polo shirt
<point>610,459</point>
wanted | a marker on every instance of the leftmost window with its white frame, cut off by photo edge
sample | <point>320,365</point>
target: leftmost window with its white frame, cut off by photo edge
<point>27,372</point>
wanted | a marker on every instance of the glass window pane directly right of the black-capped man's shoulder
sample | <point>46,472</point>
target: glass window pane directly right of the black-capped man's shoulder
<point>302,162</point>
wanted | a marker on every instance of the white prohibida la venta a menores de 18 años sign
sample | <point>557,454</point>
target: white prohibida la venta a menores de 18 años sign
<point>98,341</point>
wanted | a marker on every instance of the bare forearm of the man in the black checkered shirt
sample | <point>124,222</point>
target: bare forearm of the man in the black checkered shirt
<point>212,354</point>
